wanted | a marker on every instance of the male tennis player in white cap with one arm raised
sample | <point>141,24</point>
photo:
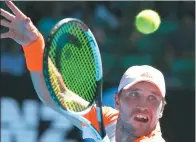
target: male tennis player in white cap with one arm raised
<point>139,102</point>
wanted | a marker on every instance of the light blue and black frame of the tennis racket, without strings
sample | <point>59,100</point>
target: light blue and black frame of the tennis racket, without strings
<point>77,116</point>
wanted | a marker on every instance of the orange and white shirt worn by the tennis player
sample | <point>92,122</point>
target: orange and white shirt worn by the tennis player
<point>110,116</point>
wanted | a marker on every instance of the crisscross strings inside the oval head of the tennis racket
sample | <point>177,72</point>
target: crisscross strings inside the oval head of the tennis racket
<point>78,71</point>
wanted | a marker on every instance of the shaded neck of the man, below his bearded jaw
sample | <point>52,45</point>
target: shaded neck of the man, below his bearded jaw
<point>122,134</point>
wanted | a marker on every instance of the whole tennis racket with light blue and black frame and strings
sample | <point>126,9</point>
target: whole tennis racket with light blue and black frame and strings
<point>72,51</point>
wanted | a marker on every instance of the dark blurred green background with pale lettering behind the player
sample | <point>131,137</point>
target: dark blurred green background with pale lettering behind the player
<point>171,49</point>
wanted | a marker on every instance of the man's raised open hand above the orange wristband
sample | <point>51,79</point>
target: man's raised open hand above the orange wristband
<point>21,29</point>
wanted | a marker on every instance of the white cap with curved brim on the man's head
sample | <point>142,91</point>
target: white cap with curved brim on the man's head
<point>147,73</point>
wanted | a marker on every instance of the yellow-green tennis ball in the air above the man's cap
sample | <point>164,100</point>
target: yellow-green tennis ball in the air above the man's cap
<point>147,21</point>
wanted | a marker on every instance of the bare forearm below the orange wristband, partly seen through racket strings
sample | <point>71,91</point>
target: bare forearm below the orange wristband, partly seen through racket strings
<point>43,93</point>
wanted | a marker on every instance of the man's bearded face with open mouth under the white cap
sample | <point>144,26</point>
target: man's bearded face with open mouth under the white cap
<point>140,106</point>
